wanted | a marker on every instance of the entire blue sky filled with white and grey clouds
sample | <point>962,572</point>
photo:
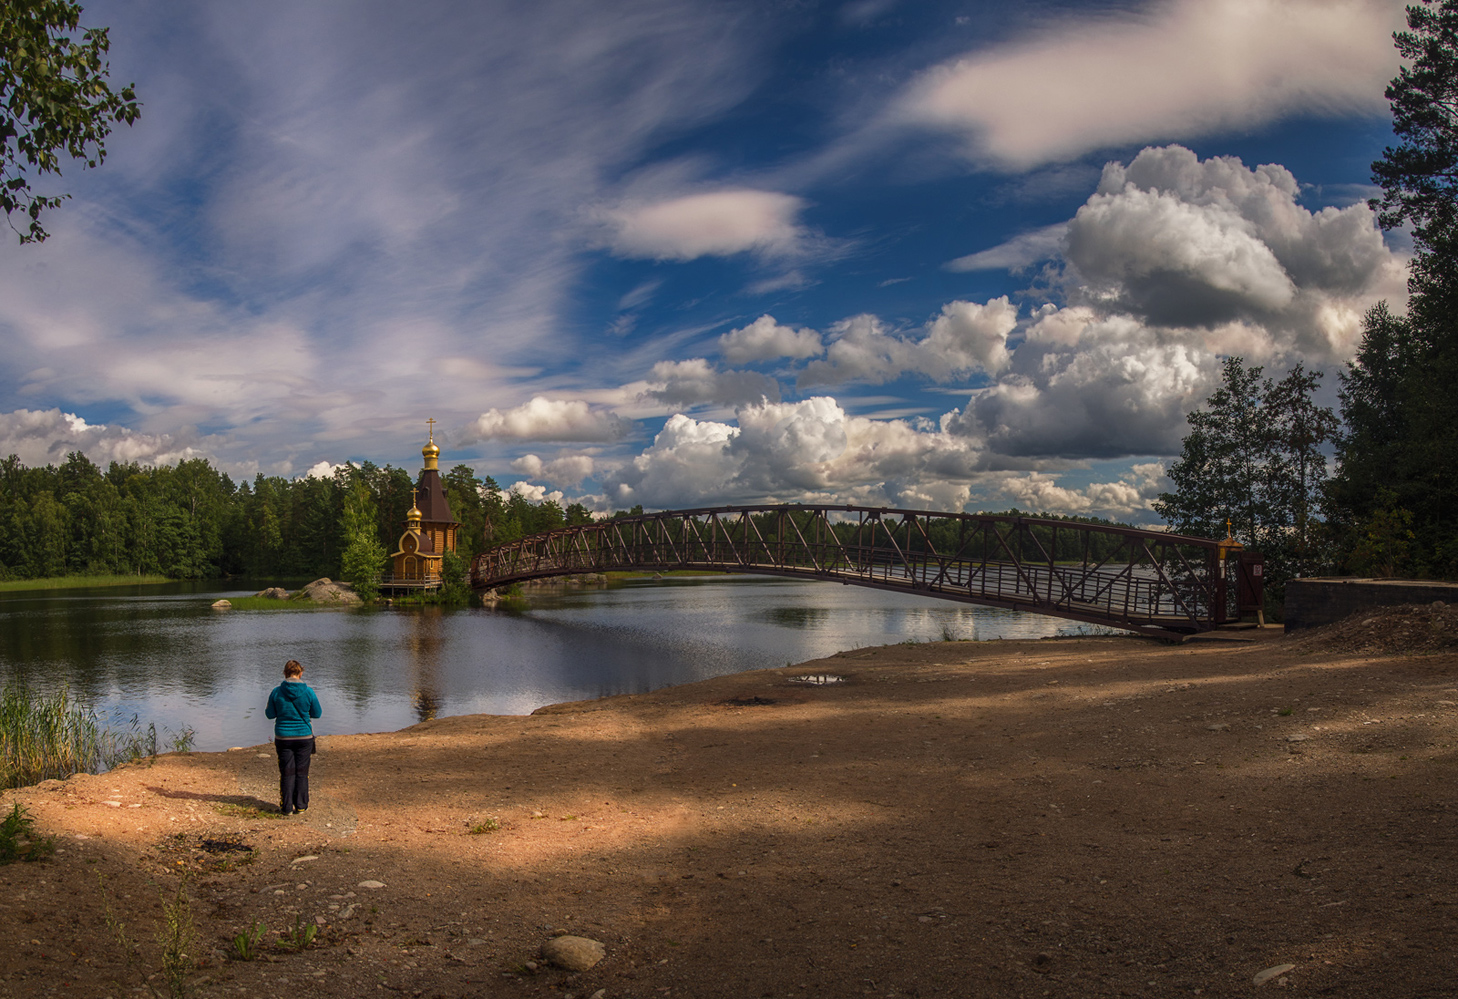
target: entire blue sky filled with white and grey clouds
<point>686,253</point>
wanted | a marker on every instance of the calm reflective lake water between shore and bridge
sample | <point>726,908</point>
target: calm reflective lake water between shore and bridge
<point>163,654</point>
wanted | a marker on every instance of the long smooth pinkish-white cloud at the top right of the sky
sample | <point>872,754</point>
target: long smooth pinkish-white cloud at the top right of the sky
<point>1177,71</point>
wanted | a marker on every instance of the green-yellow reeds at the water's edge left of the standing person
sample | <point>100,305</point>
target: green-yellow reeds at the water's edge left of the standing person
<point>55,736</point>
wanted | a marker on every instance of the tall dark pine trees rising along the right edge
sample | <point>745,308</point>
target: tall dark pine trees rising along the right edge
<point>1397,460</point>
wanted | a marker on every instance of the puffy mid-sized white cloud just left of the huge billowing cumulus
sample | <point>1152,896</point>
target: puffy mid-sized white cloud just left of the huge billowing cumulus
<point>963,339</point>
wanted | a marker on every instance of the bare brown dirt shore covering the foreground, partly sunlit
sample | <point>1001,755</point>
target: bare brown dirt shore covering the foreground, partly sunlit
<point>1081,817</point>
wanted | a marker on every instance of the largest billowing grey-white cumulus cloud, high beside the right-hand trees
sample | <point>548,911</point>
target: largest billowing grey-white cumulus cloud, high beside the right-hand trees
<point>1179,241</point>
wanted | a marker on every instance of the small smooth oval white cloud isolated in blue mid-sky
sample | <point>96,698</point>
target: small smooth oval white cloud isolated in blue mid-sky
<point>715,224</point>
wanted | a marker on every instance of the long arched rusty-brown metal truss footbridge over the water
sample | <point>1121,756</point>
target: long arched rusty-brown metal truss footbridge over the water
<point>1144,581</point>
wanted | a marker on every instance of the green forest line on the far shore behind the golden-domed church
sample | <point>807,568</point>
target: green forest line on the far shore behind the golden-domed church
<point>192,521</point>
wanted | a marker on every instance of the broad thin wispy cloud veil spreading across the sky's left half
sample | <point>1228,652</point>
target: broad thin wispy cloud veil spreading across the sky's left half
<point>314,192</point>
